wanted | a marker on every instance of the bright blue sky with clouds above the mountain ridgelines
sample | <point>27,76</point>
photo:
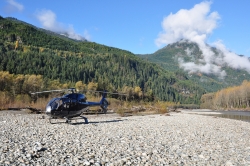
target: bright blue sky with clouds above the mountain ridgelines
<point>137,25</point>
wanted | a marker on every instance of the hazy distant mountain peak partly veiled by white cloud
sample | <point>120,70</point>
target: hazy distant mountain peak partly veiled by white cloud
<point>174,55</point>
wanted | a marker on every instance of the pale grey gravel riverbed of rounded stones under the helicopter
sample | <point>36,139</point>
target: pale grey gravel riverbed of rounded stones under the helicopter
<point>179,139</point>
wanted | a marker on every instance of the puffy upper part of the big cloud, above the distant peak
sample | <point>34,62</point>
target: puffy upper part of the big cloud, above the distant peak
<point>193,24</point>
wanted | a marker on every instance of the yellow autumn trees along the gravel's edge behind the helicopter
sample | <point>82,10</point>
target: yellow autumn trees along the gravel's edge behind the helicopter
<point>18,88</point>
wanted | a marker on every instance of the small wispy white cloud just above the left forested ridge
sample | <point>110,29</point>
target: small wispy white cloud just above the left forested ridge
<point>48,20</point>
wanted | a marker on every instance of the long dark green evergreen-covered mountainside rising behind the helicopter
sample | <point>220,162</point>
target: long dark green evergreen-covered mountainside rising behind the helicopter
<point>26,49</point>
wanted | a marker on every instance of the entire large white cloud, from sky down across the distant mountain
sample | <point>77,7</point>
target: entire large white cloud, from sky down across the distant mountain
<point>196,25</point>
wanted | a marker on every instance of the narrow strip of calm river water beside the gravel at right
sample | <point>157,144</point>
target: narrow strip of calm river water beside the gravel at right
<point>238,115</point>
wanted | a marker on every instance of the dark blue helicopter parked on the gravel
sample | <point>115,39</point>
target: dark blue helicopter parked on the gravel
<point>72,105</point>
